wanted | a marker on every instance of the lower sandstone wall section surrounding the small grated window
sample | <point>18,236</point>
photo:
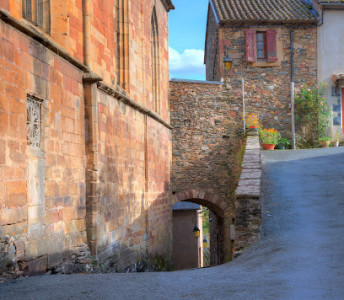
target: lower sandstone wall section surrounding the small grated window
<point>42,192</point>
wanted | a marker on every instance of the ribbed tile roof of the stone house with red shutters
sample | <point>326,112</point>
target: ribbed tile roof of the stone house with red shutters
<point>263,11</point>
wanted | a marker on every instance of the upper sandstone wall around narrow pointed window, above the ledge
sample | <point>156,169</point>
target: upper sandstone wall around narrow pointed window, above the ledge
<point>140,53</point>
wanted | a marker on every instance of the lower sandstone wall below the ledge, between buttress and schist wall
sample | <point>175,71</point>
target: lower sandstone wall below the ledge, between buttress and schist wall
<point>135,210</point>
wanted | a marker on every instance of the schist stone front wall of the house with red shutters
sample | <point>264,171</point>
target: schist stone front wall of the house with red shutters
<point>267,88</point>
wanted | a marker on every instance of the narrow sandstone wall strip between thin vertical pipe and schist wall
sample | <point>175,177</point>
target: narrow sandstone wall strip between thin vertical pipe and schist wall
<point>159,156</point>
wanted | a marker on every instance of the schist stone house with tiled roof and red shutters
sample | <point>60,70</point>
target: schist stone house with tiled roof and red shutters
<point>271,46</point>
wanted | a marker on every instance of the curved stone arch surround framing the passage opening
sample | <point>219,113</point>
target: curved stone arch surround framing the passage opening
<point>224,218</point>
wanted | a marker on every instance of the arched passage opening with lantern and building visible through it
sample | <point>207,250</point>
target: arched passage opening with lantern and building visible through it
<point>188,251</point>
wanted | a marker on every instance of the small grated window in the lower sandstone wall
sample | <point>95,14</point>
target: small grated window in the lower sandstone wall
<point>33,122</point>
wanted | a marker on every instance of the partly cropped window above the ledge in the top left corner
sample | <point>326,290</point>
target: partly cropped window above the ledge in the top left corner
<point>37,12</point>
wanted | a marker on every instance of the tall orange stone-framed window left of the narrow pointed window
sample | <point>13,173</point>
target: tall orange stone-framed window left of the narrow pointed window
<point>122,41</point>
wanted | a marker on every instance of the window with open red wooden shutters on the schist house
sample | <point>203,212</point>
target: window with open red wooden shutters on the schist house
<point>261,46</point>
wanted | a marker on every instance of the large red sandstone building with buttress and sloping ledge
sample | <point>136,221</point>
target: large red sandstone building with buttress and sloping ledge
<point>85,140</point>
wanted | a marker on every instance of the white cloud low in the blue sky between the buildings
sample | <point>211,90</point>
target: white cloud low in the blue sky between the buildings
<point>188,63</point>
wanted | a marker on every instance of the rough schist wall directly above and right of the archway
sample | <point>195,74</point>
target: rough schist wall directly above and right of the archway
<point>207,130</point>
